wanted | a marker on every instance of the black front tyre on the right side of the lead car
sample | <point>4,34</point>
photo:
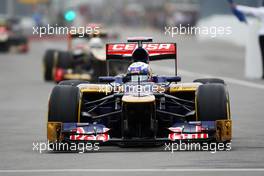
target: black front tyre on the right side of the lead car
<point>212,102</point>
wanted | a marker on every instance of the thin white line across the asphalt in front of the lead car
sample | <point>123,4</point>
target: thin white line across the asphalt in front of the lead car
<point>133,170</point>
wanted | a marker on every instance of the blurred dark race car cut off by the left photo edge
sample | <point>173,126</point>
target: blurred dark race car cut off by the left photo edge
<point>11,39</point>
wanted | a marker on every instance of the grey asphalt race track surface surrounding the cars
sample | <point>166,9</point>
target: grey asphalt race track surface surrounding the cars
<point>23,106</point>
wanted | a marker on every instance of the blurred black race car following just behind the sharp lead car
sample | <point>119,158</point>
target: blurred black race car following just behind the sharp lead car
<point>84,59</point>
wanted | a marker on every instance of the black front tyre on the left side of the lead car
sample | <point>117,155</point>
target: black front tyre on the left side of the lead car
<point>64,104</point>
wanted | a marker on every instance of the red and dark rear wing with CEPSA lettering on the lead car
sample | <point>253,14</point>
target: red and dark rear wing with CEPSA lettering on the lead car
<point>157,51</point>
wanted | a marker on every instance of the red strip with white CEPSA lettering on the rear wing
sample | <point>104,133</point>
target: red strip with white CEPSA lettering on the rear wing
<point>149,46</point>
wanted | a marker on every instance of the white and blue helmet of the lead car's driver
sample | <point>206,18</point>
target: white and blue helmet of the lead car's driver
<point>139,71</point>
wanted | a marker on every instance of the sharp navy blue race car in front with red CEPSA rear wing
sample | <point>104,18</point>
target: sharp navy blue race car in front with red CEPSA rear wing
<point>139,108</point>
